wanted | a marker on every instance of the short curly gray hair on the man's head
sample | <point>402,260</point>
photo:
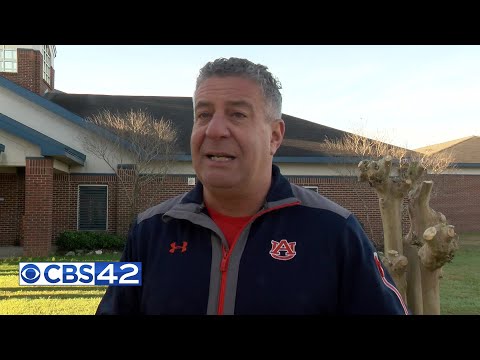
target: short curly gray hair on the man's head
<point>269,84</point>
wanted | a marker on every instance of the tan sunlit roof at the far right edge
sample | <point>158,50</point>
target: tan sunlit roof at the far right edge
<point>465,150</point>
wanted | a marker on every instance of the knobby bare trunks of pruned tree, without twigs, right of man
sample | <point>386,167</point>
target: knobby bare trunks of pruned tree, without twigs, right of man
<point>430,242</point>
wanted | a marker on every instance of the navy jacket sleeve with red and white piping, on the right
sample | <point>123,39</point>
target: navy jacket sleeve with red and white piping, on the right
<point>366,286</point>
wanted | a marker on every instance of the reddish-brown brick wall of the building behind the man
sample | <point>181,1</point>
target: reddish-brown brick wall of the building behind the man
<point>456,196</point>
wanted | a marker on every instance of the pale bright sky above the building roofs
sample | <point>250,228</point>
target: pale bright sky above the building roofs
<point>406,95</point>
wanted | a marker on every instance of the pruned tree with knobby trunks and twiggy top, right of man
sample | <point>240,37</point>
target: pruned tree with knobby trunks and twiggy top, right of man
<point>414,261</point>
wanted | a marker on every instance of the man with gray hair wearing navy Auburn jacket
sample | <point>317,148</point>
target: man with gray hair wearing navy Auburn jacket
<point>245,240</point>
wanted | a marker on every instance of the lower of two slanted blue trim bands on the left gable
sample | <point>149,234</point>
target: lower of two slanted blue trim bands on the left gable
<point>48,146</point>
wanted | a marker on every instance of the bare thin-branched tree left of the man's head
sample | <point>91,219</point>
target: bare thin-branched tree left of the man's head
<point>136,146</point>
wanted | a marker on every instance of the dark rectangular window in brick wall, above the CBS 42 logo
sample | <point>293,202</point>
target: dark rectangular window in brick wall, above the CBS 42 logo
<point>92,207</point>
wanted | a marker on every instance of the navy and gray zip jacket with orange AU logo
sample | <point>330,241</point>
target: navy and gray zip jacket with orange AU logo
<point>300,254</point>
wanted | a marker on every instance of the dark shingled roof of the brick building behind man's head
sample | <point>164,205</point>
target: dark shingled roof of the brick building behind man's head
<point>303,138</point>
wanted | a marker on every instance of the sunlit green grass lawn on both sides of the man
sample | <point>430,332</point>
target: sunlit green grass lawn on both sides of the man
<point>459,287</point>
